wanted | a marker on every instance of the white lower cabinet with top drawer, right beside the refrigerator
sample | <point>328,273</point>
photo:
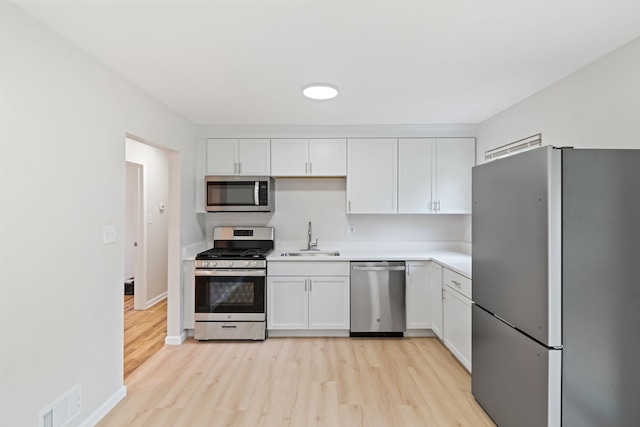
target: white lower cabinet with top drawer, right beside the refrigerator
<point>457,316</point>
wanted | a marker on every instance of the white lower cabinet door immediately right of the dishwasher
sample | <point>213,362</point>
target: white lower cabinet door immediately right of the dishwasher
<point>418,295</point>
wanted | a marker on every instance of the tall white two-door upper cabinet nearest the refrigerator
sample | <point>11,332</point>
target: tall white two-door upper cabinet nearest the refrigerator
<point>434,175</point>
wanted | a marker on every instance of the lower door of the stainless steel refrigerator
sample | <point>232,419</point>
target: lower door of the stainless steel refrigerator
<point>515,379</point>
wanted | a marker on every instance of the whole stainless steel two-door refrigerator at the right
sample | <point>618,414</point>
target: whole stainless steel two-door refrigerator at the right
<point>556,288</point>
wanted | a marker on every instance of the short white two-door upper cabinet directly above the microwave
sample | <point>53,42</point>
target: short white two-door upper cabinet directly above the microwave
<point>238,157</point>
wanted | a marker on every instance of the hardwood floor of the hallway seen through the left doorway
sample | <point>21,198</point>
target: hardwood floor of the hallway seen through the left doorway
<point>144,333</point>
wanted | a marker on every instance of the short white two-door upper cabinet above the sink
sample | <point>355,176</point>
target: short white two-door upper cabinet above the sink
<point>308,157</point>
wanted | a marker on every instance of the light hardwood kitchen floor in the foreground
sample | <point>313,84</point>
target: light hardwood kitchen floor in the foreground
<point>301,382</point>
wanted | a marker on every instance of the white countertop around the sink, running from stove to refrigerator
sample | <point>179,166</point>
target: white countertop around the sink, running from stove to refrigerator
<point>458,261</point>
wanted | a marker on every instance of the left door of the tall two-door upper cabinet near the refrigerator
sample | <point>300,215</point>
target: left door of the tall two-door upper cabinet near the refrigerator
<point>414,175</point>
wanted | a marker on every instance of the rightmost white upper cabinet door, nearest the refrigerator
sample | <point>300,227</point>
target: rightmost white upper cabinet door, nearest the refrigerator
<point>455,157</point>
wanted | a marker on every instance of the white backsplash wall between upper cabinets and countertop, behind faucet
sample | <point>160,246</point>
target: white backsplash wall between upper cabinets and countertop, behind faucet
<point>322,201</point>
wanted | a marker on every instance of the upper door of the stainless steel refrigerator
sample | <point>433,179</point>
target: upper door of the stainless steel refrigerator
<point>516,241</point>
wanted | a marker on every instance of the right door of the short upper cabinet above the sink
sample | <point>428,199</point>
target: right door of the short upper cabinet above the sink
<point>328,157</point>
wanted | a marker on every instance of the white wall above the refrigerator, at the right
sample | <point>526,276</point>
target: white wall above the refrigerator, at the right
<point>596,107</point>
